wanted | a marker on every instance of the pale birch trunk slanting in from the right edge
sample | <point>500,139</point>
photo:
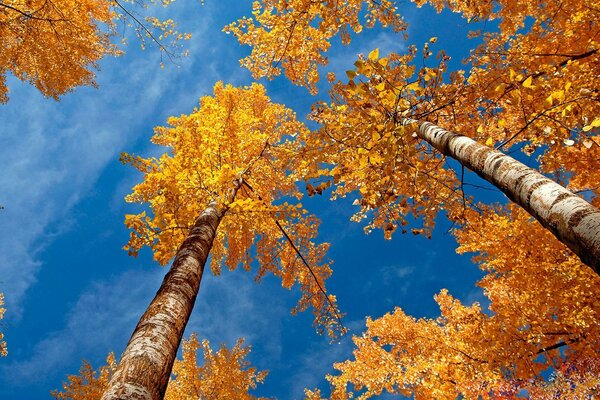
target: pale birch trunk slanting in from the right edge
<point>574,221</point>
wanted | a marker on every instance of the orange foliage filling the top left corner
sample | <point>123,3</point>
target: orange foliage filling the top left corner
<point>75,35</point>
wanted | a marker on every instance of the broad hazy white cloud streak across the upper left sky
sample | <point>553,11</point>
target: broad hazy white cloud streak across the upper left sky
<point>52,153</point>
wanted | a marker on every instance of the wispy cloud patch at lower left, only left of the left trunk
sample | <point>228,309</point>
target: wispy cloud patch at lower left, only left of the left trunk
<point>106,312</point>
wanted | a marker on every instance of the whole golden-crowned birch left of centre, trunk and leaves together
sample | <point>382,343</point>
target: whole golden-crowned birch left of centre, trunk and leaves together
<point>221,188</point>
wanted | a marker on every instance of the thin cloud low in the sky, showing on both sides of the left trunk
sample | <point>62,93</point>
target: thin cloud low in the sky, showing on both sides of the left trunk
<point>104,316</point>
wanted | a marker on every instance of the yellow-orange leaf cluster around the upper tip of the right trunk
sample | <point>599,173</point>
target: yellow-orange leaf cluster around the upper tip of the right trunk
<point>371,152</point>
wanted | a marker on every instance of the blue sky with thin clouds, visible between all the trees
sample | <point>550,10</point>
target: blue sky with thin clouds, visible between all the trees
<point>72,293</point>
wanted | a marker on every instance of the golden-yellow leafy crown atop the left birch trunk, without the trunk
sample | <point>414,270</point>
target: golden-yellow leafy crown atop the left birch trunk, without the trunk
<point>236,137</point>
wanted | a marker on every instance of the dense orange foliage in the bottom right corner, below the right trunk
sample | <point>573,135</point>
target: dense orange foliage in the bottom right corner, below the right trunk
<point>550,321</point>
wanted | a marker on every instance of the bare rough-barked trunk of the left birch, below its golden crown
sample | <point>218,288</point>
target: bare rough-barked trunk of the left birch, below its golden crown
<point>145,366</point>
